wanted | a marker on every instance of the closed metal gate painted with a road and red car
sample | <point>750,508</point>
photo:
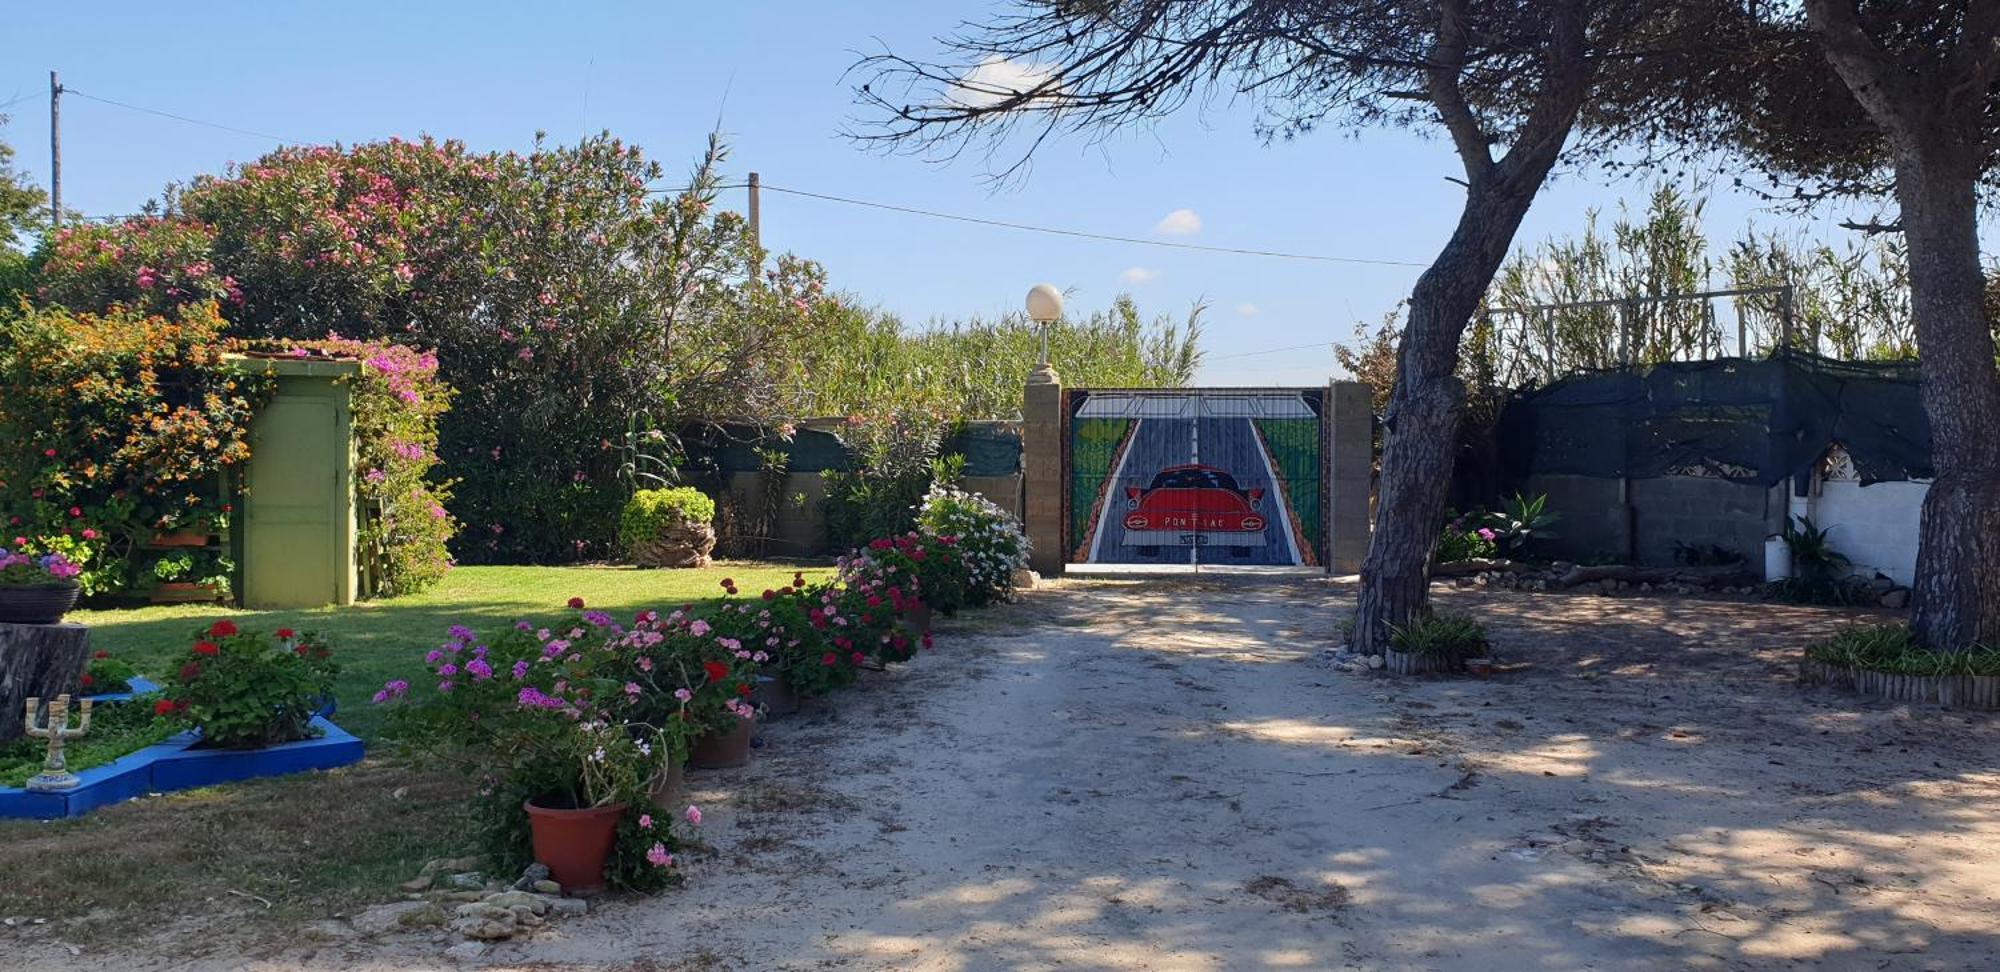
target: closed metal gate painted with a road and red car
<point>1197,477</point>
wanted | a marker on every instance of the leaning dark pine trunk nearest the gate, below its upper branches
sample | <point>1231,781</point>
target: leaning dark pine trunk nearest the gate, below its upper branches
<point>1421,429</point>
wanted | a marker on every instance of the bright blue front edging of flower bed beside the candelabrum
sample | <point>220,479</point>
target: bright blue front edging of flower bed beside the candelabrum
<point>177,765</point>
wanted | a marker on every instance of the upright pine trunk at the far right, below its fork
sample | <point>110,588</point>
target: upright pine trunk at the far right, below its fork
<point>1957,597</point>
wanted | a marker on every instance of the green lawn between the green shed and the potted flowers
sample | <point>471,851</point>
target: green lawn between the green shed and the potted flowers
<point>381,641</point>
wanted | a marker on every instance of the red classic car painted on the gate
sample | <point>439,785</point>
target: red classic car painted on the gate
<point>1193,507</point>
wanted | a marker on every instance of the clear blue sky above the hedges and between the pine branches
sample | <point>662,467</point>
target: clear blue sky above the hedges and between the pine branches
<point>661,75</point>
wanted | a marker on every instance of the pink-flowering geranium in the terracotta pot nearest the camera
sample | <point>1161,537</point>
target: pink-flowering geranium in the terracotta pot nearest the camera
<point>555,725</point>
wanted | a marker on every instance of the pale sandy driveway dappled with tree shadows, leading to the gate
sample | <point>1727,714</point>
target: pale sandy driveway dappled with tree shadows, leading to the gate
<point>1165,779</point>
